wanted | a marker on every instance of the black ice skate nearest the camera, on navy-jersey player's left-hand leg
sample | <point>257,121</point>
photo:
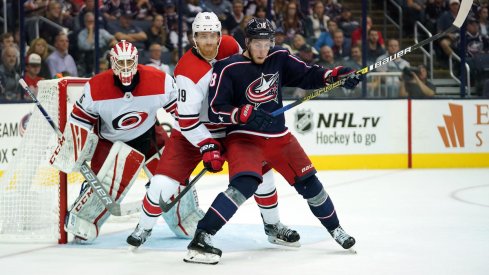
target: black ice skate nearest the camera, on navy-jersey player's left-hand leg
<point>201,251</point>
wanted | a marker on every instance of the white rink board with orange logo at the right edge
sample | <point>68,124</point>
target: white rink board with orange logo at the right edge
<point>450,133</point>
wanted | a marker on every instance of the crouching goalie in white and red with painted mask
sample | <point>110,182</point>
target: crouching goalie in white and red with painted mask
<point>114,126</point>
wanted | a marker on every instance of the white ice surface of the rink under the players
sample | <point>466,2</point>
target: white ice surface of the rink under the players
<point>404,221</point>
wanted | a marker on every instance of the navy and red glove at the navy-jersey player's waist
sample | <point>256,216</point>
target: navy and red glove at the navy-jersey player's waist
<point>255,118</point>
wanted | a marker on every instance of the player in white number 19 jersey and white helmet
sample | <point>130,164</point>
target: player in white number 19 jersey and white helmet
<point>194,139</point>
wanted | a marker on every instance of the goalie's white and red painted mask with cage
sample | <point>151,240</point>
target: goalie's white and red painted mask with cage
<point>124,61</point>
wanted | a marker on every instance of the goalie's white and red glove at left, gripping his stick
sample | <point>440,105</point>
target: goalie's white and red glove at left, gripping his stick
<point>75,146</point>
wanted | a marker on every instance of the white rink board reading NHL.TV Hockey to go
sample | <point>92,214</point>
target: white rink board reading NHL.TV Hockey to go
<point>341,134</point>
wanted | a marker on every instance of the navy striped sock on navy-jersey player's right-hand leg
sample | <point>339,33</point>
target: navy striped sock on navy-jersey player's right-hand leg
<point>319,202</point>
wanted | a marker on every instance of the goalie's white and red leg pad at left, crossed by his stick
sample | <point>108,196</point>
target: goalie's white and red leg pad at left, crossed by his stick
<point>117,175</point>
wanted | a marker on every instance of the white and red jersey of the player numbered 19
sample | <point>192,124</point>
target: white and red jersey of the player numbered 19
<point>193,75</point>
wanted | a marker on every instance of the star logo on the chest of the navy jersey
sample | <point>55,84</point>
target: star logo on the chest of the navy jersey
<point>263,89</point>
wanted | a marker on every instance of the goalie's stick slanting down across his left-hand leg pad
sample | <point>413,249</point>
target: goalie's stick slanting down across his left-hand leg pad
<point>113,207</point>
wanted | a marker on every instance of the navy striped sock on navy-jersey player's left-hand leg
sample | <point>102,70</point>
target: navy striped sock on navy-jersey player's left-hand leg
<point>227,203</point>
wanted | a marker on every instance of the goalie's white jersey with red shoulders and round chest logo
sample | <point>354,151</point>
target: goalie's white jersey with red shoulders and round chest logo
<point>124,116</point>
